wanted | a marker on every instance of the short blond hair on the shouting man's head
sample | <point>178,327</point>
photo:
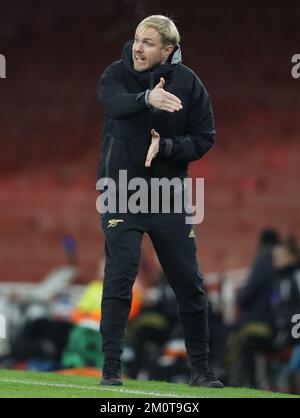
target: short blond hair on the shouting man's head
<point>164,25</point>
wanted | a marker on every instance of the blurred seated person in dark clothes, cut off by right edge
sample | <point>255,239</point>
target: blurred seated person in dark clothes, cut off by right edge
<point>283,356</point>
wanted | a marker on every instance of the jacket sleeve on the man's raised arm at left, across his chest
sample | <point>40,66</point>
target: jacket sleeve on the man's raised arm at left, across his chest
<point>114,96</point>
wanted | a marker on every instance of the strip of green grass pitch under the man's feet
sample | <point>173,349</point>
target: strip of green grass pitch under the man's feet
<point>16,384</point>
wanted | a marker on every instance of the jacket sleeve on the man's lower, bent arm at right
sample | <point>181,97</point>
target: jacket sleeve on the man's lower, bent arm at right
<point>200,130</point>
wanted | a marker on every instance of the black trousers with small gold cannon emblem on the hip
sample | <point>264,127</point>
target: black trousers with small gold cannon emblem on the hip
<point>176,249</point>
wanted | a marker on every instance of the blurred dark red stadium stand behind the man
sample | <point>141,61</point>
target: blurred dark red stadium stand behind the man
<point>50,125</point>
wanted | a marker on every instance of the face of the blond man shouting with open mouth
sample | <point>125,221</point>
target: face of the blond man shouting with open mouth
<point>148,50</point>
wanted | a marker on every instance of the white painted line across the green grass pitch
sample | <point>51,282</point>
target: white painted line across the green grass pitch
<point>100,389</point>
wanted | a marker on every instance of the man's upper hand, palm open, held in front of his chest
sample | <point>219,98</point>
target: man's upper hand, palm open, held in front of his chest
<point>163,100</point>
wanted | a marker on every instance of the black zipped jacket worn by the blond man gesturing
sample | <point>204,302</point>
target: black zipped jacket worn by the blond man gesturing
<point>185,135</point>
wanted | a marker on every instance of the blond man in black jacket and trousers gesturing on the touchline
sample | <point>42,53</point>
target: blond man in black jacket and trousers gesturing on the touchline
<point>157,119</point>
